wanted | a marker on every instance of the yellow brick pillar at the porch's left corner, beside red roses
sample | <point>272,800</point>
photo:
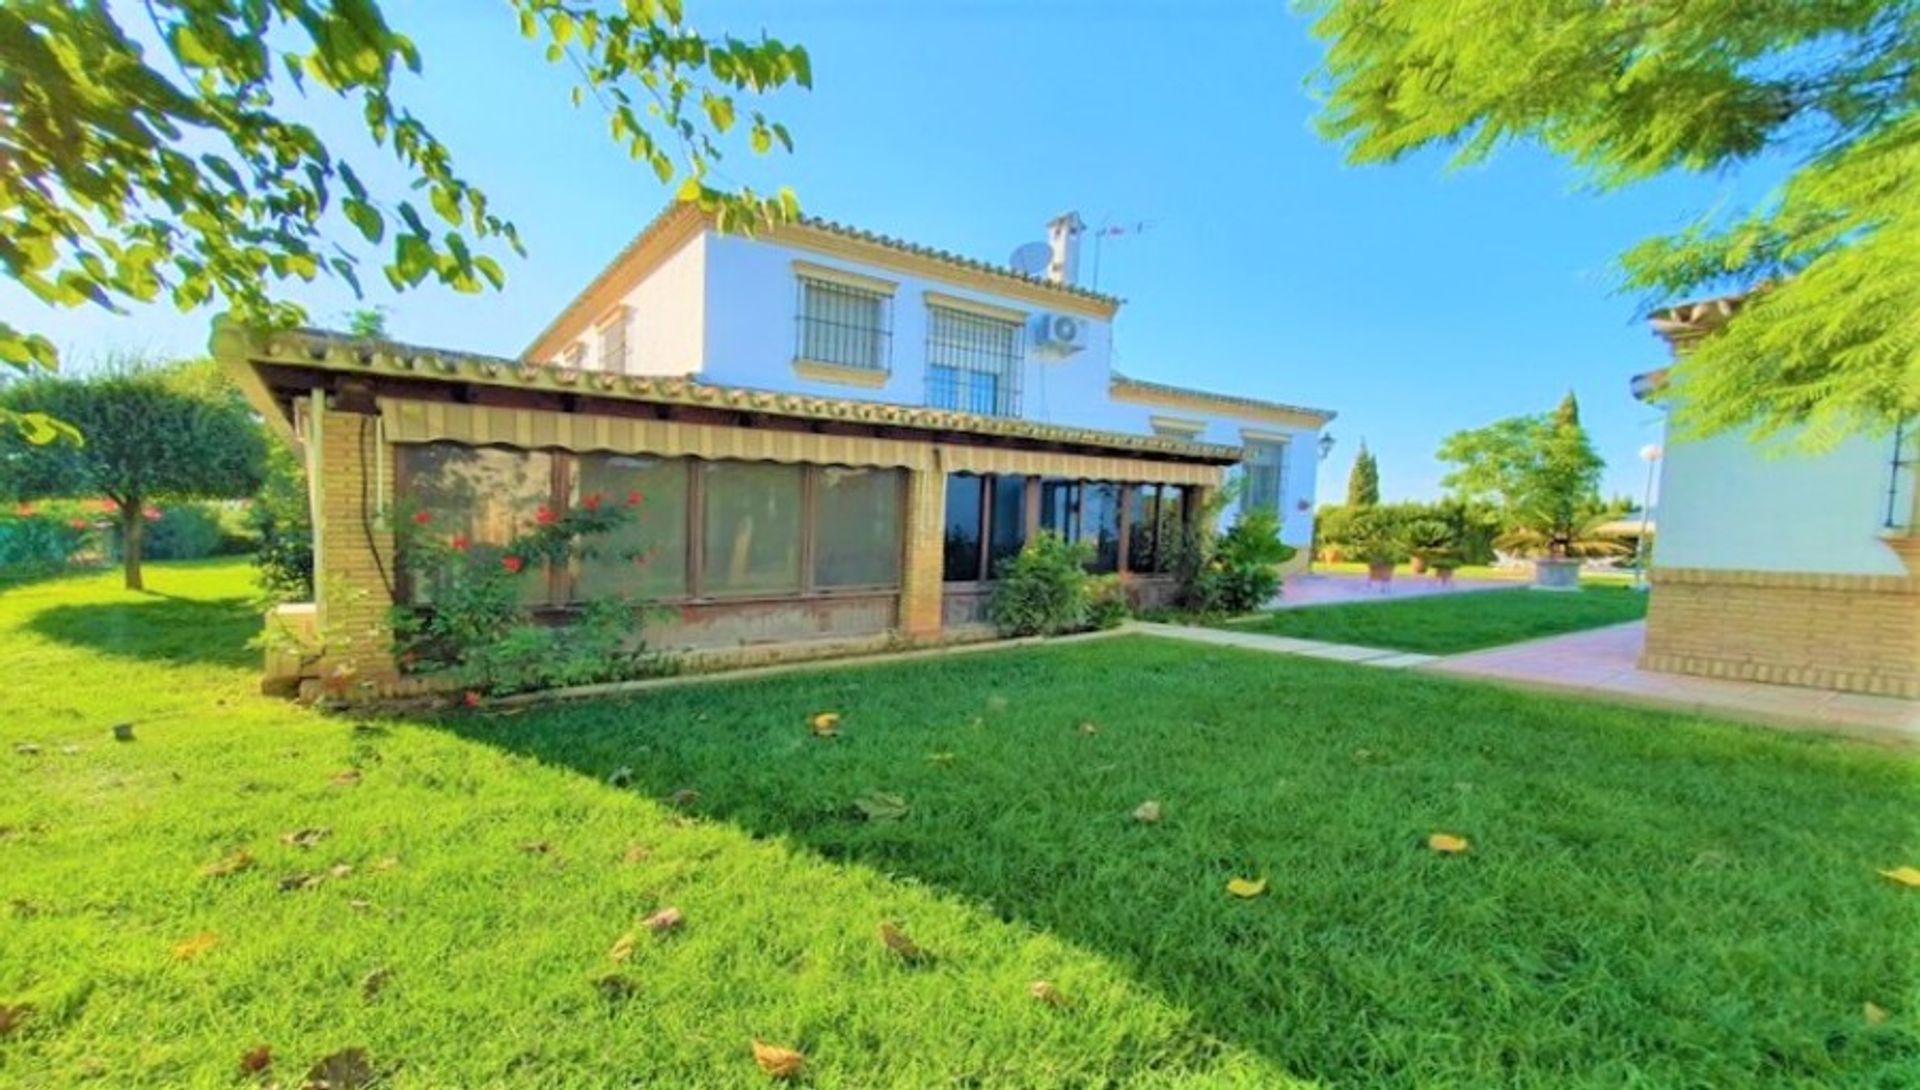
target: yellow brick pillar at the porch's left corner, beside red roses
<point>352,546</point>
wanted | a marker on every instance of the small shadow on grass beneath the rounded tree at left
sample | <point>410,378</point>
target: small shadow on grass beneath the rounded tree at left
<point>158,628</point>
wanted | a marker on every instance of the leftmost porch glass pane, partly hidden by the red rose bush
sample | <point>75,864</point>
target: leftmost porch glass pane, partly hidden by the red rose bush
<point>477,498</point>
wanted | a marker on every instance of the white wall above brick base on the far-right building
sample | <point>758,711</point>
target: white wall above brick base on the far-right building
<point>1733,504</point>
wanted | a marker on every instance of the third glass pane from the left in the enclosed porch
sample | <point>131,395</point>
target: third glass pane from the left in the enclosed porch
<point>752,529</point>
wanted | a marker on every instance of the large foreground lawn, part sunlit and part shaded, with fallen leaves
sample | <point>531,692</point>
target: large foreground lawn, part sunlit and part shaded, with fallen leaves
<point>1650,901</point>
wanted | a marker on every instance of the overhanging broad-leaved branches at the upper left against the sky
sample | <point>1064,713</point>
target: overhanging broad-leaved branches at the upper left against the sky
<point>176,174</point>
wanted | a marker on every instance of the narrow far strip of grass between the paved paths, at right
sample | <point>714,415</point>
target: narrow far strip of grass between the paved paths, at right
<point>1449,625</point>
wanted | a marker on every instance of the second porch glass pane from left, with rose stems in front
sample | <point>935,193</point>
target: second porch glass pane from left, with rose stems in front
<point>648,556</point>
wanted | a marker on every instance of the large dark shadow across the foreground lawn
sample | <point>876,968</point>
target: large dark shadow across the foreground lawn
<point>1633,878</point>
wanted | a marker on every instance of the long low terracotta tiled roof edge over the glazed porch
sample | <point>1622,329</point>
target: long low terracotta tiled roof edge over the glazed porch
<point>350,354</point>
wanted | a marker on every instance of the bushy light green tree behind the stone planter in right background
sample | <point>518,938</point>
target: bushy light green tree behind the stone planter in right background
<point>1543,471</point>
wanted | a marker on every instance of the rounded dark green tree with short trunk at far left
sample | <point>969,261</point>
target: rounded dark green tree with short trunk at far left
<point>149,435</point>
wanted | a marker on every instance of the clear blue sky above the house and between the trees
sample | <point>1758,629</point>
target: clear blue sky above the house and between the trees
<point>1414,300</point>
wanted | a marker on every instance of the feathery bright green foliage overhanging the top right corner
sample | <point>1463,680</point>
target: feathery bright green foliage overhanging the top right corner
<point>1631,91</point>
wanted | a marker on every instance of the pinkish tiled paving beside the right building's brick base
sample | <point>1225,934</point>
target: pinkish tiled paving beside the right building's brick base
<point>1600,663</point>
